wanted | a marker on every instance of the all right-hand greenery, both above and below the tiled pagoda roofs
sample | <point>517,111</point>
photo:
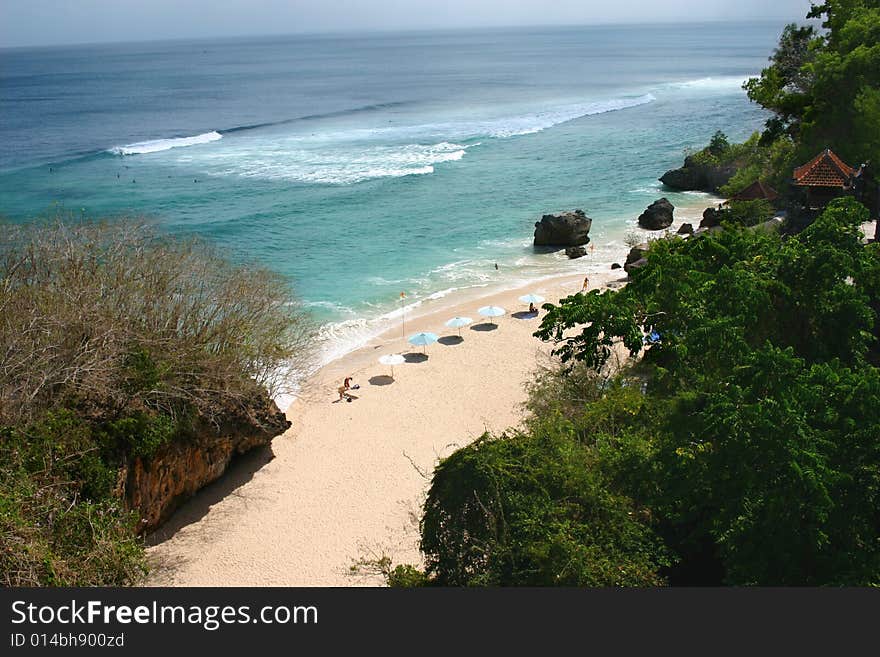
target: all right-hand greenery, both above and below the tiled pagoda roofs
<point>738,444</point>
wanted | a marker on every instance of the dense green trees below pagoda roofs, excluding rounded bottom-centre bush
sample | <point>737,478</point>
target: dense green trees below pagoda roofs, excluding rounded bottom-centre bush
<point>750,434</point>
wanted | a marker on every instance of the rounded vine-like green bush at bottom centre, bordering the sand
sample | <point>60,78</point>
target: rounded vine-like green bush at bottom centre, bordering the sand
<point>530,510</point>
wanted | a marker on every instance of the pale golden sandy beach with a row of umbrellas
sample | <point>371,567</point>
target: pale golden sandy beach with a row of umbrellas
<point>347,480</point>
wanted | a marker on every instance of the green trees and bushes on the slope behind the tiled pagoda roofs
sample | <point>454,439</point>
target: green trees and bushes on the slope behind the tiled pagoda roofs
<point>822,88</point>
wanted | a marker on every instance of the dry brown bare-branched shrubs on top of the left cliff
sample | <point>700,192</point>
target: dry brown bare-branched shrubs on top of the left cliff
<point>112,318</point>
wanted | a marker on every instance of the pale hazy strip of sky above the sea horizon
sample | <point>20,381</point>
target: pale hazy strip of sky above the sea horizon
<point>47,22</point>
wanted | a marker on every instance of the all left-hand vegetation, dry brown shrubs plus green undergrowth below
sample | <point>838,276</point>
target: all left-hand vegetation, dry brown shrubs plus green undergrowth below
<point>116,345</point>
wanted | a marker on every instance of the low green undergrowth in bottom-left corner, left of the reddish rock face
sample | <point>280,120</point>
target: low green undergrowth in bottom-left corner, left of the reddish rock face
<point>60,521</point>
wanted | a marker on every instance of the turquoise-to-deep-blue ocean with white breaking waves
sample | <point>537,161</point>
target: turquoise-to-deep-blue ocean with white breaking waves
<point>360,167</point>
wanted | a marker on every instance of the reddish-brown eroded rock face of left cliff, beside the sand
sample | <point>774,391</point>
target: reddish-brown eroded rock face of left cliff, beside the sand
<point>157,485</point>
